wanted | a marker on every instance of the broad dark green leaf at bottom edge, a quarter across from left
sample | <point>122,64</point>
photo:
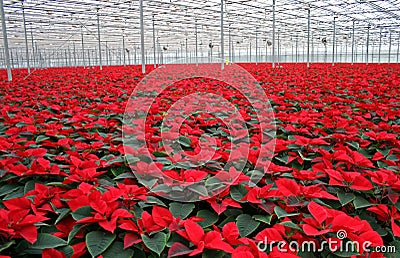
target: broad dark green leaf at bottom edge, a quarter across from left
<point>98,241</point>
